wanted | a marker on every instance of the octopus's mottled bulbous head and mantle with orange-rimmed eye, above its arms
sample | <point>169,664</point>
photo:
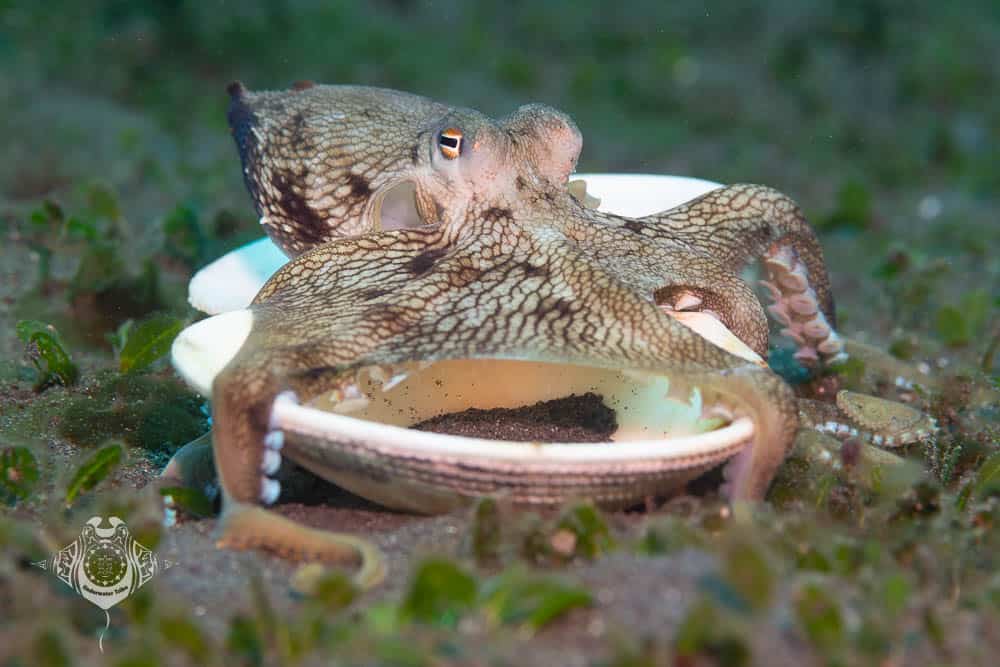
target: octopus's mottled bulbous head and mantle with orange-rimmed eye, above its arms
<point>325,163</point>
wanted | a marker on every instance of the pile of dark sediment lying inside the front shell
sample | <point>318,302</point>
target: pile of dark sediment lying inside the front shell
<point>575,418</point>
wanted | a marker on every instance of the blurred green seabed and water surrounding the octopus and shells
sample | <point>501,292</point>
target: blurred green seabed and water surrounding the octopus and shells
<point>119,179</point>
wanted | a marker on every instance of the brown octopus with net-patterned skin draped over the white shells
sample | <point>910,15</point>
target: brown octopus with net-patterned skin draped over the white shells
<point>502,262</point>
